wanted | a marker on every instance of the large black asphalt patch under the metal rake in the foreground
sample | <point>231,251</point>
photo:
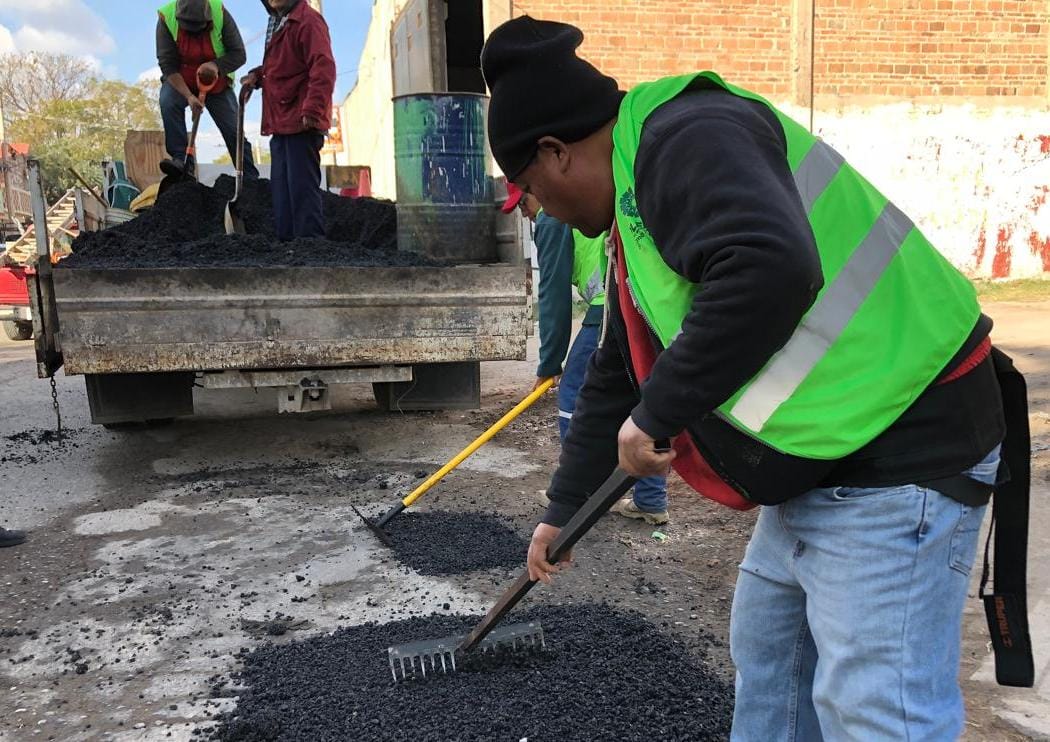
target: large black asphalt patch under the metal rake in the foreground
<point>606,674</point>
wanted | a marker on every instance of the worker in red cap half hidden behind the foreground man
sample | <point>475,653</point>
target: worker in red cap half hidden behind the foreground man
<point>568,259</point>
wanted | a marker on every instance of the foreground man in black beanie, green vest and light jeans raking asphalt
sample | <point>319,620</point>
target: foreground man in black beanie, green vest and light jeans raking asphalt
<point>806,349</point>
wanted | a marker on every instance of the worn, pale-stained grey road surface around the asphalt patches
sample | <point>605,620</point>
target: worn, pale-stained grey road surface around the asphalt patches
<point>159,555</point>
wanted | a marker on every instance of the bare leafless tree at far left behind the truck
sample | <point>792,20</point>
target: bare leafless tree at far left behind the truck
<point>30,81</point>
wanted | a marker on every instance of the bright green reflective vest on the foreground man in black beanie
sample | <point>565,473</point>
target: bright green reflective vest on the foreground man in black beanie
<point>892,314</point>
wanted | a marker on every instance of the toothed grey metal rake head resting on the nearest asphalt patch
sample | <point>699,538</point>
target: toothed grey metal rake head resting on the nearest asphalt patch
<point>416,660</point>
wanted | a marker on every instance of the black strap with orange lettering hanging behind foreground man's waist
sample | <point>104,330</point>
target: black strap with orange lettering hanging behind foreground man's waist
<point>1006,607</point>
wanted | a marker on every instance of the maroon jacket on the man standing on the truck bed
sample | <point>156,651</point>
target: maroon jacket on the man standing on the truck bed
<point>299,74</point>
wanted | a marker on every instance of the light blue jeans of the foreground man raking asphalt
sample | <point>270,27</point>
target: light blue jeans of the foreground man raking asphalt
<point>848,616</point>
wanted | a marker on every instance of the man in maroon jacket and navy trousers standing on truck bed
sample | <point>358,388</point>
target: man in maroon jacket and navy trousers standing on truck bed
<point>298,79</point>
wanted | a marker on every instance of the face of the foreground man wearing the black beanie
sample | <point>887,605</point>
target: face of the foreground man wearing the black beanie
<point>572,185</point>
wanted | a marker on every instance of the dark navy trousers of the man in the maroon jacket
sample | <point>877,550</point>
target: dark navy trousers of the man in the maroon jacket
<point>296,182</point>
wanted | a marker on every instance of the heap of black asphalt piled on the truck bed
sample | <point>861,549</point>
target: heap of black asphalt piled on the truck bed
<point>185,228</point>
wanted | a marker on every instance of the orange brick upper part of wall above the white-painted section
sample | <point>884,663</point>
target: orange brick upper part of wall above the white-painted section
<point>865,49</point>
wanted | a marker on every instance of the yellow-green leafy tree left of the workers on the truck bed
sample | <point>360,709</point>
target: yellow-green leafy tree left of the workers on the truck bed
<point>81,133</point>
